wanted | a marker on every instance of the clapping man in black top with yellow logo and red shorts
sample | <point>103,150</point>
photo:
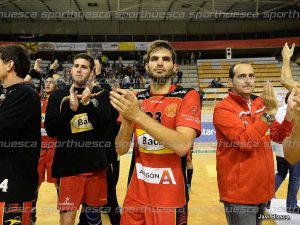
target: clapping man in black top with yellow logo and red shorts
<point>80,117</point>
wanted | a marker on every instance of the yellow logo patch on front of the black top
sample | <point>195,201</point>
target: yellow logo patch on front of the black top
<point>80,123</point>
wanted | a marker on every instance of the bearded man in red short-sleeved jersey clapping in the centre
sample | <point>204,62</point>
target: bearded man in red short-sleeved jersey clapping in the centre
<point>165,120</point>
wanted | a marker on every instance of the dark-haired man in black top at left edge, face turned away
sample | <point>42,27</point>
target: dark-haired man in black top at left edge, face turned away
<point>20,134</point>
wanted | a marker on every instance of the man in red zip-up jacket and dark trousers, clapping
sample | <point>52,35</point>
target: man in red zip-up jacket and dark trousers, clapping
<point>244,126</point>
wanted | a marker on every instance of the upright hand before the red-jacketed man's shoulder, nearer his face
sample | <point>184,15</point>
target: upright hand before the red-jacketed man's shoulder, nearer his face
<point>269,99</point>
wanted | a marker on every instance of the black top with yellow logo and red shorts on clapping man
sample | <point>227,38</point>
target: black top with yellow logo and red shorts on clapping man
<point>83,138</point>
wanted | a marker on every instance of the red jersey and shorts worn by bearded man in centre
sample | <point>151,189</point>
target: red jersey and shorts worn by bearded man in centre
<point>157,183</point>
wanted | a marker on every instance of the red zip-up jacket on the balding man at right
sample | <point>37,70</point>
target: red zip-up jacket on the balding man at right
<point>245,165</point>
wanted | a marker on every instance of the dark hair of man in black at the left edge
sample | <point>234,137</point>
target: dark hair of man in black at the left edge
<point>19,55</point>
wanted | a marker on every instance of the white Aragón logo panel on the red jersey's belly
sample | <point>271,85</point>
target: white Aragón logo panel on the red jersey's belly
<point>155,175</point>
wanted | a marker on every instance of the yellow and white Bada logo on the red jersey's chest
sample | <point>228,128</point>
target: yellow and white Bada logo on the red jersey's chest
<point>147,144</point>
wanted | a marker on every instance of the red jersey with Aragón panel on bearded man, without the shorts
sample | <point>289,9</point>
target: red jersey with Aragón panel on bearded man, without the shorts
<point>158,179</point>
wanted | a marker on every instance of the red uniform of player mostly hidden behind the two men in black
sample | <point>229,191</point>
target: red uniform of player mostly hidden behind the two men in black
<point>47,151</point>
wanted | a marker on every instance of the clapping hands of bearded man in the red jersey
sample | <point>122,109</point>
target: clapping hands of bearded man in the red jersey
<point>126,103</point>
